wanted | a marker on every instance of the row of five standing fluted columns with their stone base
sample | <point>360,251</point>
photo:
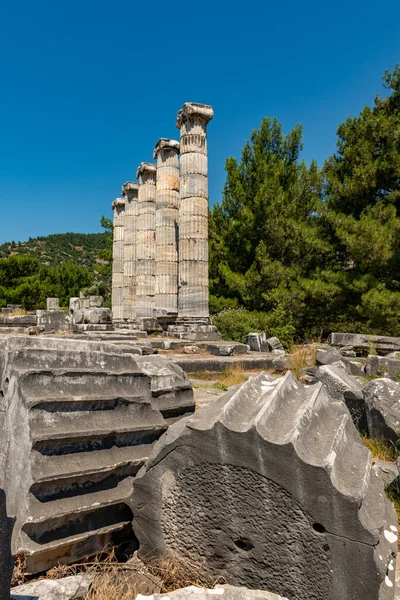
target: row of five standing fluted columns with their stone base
<point>160,244</point>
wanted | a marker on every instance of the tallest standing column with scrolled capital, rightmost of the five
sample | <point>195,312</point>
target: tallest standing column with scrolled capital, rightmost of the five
<point>192,121</point>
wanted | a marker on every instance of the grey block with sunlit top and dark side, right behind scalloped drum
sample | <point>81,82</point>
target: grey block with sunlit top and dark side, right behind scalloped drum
<point>343,386</point>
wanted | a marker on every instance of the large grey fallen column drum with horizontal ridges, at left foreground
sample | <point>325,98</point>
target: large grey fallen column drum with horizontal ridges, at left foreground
<point>78,423</point>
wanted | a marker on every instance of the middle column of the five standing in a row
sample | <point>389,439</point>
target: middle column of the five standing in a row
<point>146,241</point>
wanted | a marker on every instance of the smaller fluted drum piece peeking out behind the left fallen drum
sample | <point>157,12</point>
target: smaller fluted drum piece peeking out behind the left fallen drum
<point>172,392</point>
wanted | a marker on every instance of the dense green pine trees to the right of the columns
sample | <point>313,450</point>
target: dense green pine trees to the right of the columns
<point>321,245</point>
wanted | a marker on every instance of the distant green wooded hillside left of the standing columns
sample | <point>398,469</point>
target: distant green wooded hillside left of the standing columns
<point>82,248</point>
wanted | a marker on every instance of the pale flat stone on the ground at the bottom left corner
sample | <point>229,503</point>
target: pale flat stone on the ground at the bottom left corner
<point>75,587</point>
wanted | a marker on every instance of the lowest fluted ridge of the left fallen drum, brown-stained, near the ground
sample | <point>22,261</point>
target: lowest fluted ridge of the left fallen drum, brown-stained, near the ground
<point>40,557</point>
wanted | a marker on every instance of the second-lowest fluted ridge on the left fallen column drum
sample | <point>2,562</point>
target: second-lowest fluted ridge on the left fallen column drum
<point>53,512</point>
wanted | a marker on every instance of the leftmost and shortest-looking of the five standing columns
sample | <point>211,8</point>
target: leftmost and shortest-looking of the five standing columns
<point>118,260</point>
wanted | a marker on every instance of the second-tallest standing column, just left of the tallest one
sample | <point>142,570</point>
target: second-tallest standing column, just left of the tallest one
<point>167,223</point>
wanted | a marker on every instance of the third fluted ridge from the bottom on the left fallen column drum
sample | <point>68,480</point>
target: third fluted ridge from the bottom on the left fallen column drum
<point>86,464</point>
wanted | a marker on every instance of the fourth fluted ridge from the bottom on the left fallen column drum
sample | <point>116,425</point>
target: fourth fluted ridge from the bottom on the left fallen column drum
<point>45,426</point>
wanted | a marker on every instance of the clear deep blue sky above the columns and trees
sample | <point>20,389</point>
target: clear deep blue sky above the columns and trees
<point>88,87</point>
